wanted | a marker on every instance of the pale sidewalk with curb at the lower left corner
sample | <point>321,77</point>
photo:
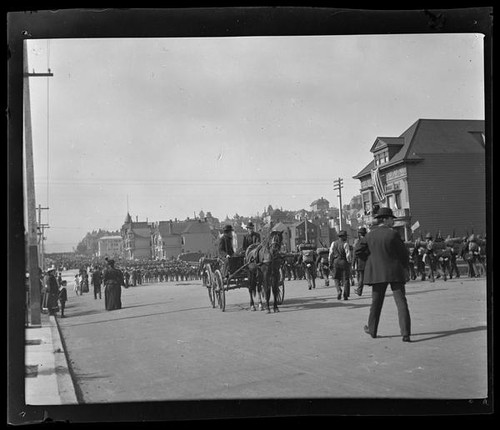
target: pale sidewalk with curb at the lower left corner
<point>48,380</point>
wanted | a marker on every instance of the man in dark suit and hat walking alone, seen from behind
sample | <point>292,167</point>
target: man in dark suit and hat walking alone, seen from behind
<point>387,263</point>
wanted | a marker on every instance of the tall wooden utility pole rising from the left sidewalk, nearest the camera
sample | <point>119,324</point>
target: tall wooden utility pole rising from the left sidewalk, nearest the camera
<point>33,267</point>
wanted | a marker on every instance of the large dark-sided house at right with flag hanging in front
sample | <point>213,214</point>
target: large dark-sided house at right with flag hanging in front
<point>432,176</point>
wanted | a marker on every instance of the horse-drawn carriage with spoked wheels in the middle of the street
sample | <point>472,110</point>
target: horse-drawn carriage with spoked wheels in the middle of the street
<point>237,274</point>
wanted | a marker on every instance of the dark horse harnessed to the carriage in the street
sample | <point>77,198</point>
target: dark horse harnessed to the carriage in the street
<point>264,262</point>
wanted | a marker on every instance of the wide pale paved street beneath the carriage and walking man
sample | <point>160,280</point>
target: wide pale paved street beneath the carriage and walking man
<point>168,343</point>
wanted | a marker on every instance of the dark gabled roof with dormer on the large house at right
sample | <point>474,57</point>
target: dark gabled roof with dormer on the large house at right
<point>433,136</point>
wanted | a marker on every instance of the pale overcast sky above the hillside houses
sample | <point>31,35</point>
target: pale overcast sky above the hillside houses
<point>228,125</point>
